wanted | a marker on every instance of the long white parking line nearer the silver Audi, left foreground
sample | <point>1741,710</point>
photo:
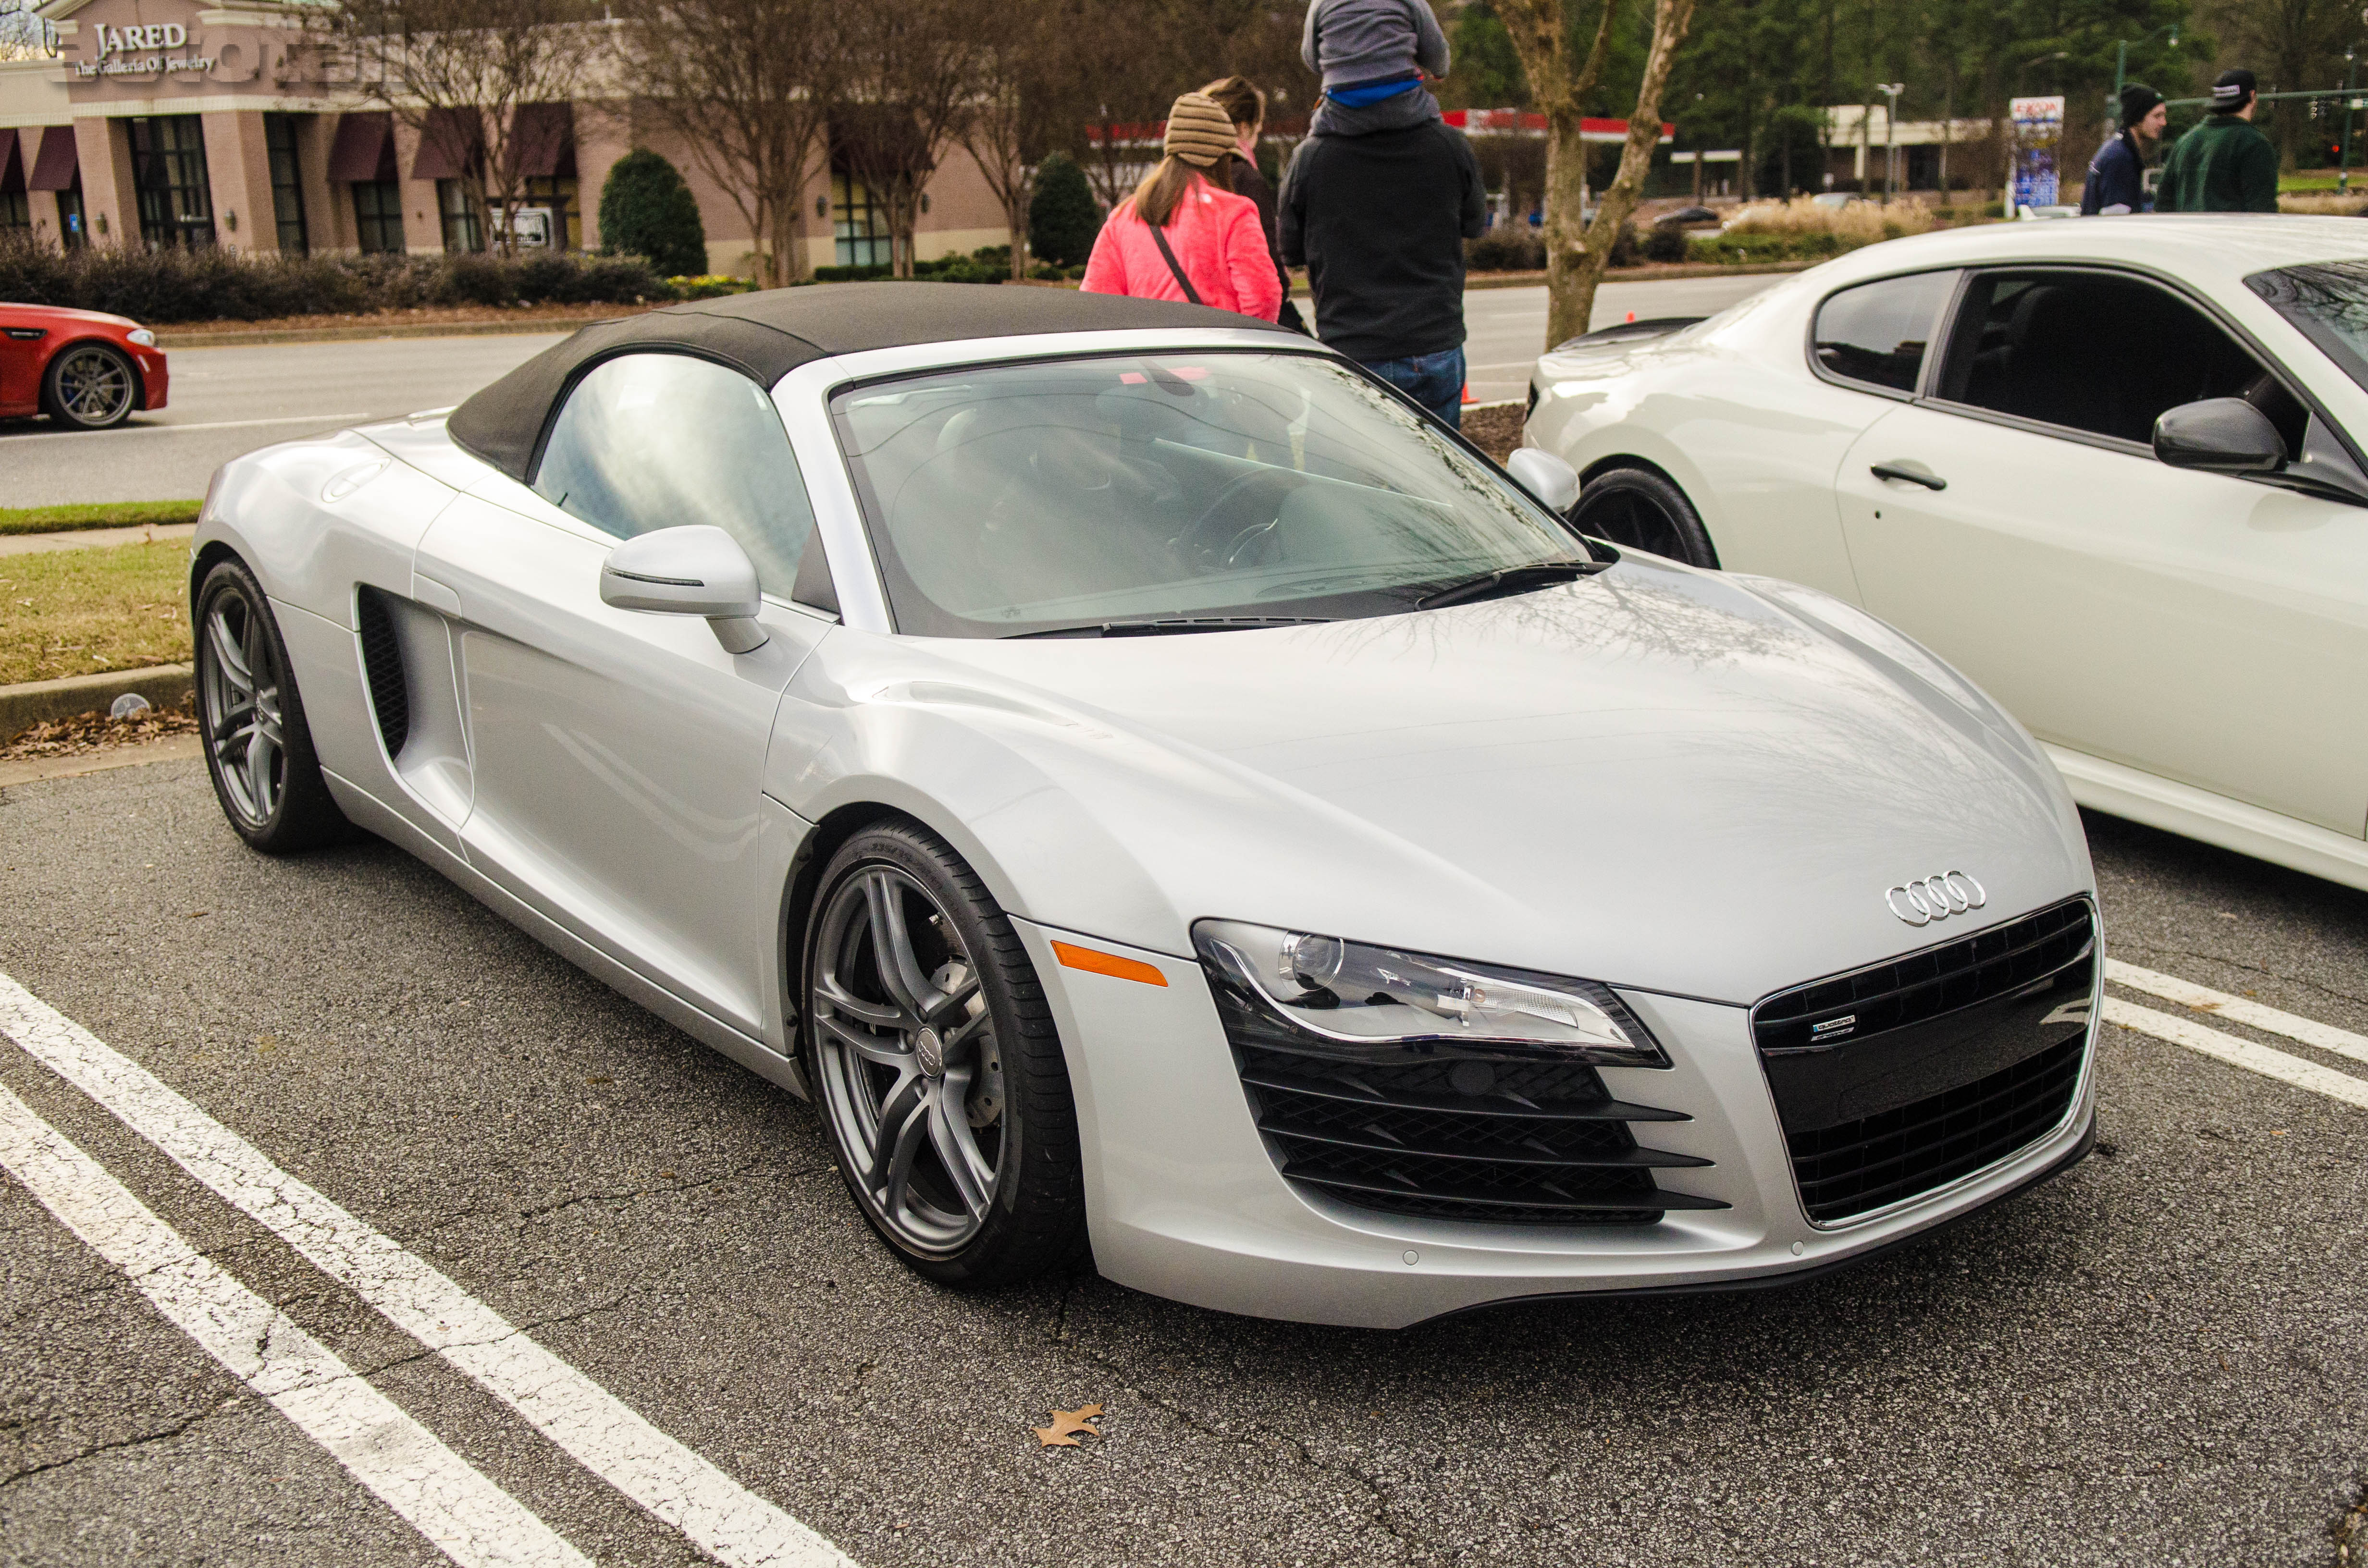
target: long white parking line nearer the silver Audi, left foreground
<point>607,1437</point>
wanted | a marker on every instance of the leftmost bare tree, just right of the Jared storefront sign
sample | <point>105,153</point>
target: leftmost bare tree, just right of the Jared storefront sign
<point>463,75</point>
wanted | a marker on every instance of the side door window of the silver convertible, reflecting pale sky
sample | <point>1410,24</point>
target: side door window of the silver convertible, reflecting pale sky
<point>662,439</point>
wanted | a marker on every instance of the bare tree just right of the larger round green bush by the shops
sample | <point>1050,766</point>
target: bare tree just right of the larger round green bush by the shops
<point>749,89</point>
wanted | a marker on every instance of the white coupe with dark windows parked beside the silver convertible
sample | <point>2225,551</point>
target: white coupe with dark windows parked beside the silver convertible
<point>2111,470</point>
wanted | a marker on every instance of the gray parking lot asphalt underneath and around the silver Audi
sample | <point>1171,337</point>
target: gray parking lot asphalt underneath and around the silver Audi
<point>2154,1358</point>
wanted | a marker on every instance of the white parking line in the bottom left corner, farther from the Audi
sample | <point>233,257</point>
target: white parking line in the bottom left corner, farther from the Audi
<point>439,1493</point>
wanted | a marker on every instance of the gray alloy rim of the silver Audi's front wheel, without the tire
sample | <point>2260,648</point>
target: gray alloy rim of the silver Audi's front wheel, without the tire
<point>910,1069</point>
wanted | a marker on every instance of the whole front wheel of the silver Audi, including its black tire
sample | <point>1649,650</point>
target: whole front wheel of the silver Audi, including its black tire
<point>882,1088</point>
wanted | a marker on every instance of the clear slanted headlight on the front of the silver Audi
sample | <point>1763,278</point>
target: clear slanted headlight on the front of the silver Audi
<point>1353,994</point>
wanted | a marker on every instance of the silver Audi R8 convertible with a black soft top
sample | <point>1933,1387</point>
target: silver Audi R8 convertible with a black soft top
<point>1173,804</point>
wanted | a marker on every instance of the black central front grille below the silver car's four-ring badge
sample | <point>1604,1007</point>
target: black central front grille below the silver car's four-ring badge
<point>1910,1074</point>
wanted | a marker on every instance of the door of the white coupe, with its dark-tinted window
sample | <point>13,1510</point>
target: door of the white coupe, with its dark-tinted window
<point>2196,626</point>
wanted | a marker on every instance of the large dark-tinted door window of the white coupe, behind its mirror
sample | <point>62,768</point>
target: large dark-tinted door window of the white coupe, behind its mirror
<point>2104,354</point>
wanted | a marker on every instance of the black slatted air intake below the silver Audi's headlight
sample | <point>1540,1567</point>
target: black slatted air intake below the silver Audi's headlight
<point>1460,1136</point>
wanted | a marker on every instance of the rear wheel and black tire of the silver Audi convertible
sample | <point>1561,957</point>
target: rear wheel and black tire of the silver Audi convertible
<point>259,747</point>
